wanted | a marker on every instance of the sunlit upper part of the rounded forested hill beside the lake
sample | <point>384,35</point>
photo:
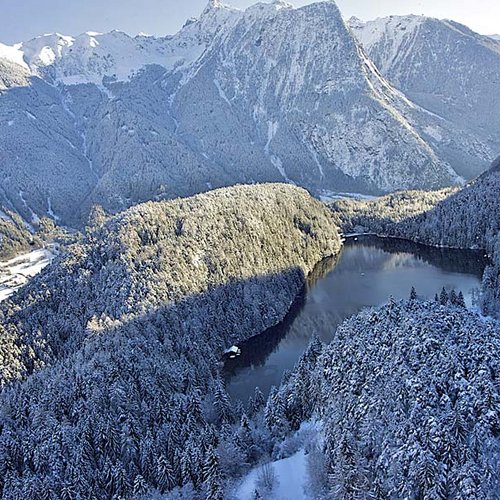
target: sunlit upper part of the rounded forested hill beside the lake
<point>158,253</point>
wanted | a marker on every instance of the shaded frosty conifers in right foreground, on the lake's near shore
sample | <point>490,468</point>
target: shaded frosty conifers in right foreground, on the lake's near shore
<point>409,404</point>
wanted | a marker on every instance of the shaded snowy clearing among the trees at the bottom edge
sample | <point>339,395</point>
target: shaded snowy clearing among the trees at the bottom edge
<point>291,474</point>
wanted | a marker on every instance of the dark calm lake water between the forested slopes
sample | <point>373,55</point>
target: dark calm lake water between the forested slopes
<point>367,272</point>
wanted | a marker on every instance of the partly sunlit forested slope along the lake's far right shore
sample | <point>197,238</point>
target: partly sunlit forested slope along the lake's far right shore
<point>467,218</point>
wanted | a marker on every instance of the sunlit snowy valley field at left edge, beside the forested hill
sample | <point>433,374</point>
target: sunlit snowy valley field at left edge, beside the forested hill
<point>18,271</point>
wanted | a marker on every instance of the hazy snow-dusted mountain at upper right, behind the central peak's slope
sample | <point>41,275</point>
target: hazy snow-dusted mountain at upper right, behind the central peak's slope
<point>448,70</point>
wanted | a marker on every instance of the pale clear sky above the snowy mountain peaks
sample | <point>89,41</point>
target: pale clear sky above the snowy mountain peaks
<point>24,19</point>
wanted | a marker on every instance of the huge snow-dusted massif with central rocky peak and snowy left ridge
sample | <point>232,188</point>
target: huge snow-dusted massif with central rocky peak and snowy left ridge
<point>272,93</point>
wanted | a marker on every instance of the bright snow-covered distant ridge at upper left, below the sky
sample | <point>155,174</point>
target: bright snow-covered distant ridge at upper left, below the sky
<point>91,56</point>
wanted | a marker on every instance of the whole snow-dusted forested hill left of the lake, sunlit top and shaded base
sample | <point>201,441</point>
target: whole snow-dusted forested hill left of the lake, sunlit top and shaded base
<point>110,358</point>
